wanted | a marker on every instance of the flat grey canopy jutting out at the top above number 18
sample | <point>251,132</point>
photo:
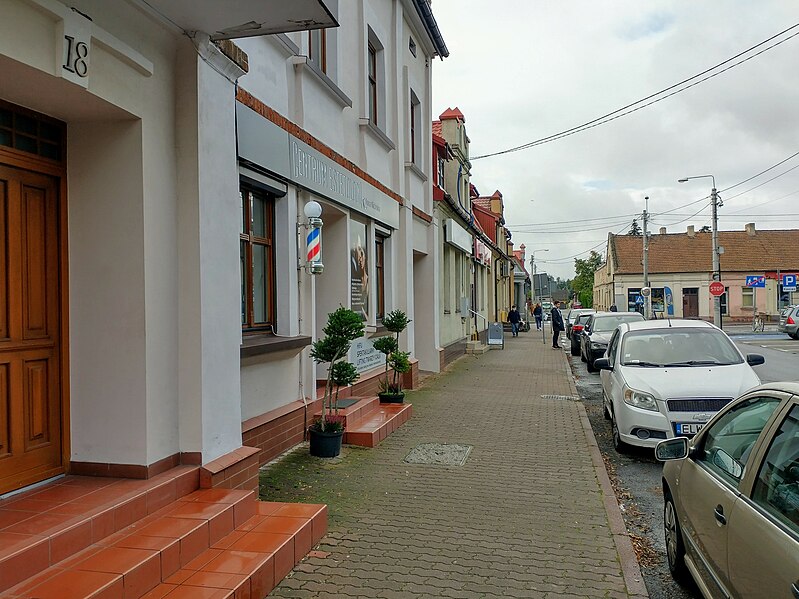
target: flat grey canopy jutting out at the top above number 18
<point>231,19</point>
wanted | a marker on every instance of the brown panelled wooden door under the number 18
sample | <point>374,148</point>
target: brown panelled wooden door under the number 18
<point>31,407</point>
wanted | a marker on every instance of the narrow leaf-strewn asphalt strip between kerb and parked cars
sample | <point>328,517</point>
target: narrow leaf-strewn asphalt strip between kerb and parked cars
<point>636,479</point>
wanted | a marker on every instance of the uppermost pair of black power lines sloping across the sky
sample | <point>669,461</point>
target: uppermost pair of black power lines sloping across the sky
<point>620,112</point>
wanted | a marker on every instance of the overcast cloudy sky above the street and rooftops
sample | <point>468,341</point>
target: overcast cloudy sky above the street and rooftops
<point>522,70</point>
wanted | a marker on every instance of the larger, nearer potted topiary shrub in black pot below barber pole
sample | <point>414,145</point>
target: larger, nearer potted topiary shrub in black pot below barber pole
<point>343,327</point>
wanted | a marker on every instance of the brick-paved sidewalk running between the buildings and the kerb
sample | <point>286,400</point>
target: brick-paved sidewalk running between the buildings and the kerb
<point>524,517</point>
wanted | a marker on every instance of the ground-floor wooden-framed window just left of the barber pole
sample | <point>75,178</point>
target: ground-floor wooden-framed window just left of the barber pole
<point>257,255</point>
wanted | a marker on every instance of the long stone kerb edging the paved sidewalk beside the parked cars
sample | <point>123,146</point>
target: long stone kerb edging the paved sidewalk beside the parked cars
<point>631,571</point>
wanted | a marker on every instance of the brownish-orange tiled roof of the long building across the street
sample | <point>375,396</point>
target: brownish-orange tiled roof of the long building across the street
<point>676,253</point>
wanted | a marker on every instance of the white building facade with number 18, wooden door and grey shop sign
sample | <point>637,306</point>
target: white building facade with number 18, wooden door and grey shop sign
<point>159,190</point>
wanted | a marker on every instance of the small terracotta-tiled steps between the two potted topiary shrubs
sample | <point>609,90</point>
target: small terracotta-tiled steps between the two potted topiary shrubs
<point>368,422</point>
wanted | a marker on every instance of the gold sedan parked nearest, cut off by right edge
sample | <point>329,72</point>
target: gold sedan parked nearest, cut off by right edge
<point>731,498</point>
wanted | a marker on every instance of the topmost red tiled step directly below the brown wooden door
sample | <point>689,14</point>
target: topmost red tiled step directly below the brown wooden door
<point>41,527</point>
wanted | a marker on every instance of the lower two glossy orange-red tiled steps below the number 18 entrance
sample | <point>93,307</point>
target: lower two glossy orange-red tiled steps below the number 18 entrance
<point>213,543</point>
